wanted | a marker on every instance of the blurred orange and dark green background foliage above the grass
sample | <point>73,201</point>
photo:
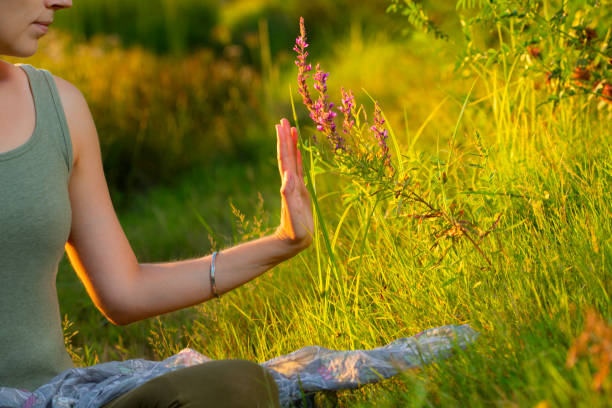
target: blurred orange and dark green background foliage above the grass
<point>174,85</point>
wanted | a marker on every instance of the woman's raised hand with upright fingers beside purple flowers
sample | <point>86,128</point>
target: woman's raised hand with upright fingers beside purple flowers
<point>296,226</point>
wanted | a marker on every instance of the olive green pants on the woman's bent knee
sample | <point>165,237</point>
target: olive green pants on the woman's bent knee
<point>216,384</point>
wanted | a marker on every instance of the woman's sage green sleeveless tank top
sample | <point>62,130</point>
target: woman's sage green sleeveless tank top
<point>35,219</point>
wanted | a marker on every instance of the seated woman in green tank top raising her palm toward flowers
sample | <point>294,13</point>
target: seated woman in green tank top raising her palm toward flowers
<point>53,196</point>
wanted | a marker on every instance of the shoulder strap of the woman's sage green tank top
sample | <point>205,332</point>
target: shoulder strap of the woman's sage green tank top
<point>49,110</point>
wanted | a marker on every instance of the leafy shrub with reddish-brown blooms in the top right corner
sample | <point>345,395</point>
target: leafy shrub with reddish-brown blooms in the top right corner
<point>564,45</point>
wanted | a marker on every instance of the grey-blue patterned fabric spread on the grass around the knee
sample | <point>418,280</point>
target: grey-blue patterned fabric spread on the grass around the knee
<point>304,371</point>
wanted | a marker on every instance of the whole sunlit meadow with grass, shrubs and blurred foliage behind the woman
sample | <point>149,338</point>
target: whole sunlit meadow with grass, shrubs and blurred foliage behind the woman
<point>489,206</point>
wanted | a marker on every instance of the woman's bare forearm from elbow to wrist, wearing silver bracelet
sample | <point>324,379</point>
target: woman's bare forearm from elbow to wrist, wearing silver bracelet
<point>160,288</point>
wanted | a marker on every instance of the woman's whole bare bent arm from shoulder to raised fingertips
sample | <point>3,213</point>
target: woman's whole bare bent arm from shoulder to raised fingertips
<point>126,291</point>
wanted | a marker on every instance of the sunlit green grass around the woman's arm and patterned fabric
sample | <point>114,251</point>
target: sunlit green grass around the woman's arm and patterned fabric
<point>546,170</point>
